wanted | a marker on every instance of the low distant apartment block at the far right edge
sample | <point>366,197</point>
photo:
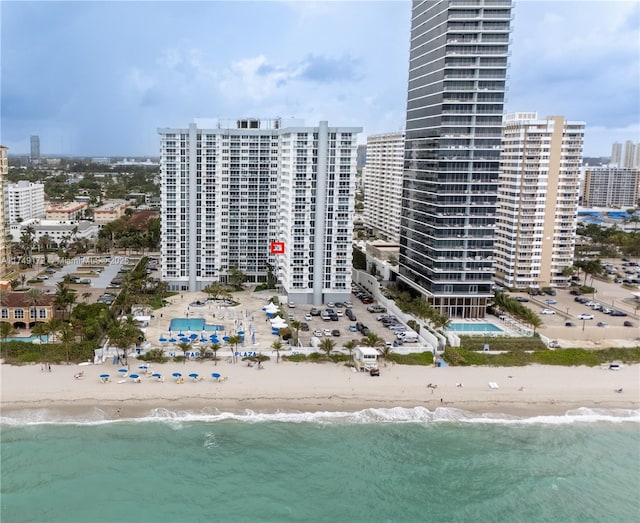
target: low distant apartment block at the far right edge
<point>610,187</point>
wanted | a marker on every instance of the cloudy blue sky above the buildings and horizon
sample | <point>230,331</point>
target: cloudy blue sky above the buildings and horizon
<point>99,78</point>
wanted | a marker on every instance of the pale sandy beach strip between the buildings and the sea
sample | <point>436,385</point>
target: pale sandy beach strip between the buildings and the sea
<point>526,391</point>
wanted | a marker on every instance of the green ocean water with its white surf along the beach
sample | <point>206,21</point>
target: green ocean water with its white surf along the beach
<point>406,465</point>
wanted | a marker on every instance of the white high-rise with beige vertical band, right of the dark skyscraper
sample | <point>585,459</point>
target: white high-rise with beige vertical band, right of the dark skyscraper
<point>537,200</point>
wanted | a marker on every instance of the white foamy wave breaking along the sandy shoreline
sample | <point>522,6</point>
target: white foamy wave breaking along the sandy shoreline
<point>176,419</point>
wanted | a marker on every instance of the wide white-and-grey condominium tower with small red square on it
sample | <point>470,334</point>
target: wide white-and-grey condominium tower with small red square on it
<point>254,194</point>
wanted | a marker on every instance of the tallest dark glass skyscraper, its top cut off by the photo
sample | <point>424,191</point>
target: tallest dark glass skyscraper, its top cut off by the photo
<point>457,72</point>
